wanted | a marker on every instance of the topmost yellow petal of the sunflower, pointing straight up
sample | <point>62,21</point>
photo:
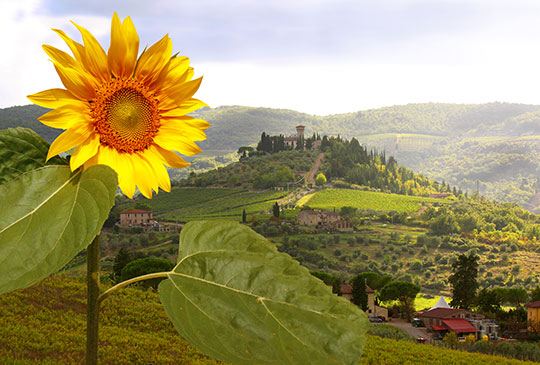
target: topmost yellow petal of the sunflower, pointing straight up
<point>122,54</point>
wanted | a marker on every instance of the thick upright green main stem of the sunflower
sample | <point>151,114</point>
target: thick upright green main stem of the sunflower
<point>92,314</point>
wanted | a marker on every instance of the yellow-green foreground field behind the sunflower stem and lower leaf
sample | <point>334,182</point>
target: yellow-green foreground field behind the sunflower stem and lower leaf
<point>135,329</point>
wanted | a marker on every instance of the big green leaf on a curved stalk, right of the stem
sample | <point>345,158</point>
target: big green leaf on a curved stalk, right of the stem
<point>237,299</point>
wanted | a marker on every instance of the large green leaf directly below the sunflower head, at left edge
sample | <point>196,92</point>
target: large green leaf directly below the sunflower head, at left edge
<point>49,215</point>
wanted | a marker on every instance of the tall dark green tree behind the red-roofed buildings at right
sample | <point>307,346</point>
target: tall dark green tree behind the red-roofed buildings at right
<point>463,281</point>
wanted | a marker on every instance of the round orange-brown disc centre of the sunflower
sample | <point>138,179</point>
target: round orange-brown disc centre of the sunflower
<point>125,115</point>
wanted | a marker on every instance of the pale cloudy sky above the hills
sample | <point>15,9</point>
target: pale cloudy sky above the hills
<point>318,56</point>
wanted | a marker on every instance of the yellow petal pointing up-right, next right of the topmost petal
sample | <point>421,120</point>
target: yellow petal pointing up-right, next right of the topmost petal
<point>153,59</point>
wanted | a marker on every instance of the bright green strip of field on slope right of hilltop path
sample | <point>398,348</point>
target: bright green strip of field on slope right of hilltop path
<point>337,198</point>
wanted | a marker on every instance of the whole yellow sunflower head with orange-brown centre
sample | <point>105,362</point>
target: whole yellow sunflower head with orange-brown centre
<point>123,110</point>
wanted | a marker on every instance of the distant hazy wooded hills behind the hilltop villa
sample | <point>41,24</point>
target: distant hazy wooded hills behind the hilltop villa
<point>494,146</point>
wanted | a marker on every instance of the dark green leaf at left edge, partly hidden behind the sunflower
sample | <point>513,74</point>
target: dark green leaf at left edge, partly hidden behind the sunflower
<point>22,150</point>
